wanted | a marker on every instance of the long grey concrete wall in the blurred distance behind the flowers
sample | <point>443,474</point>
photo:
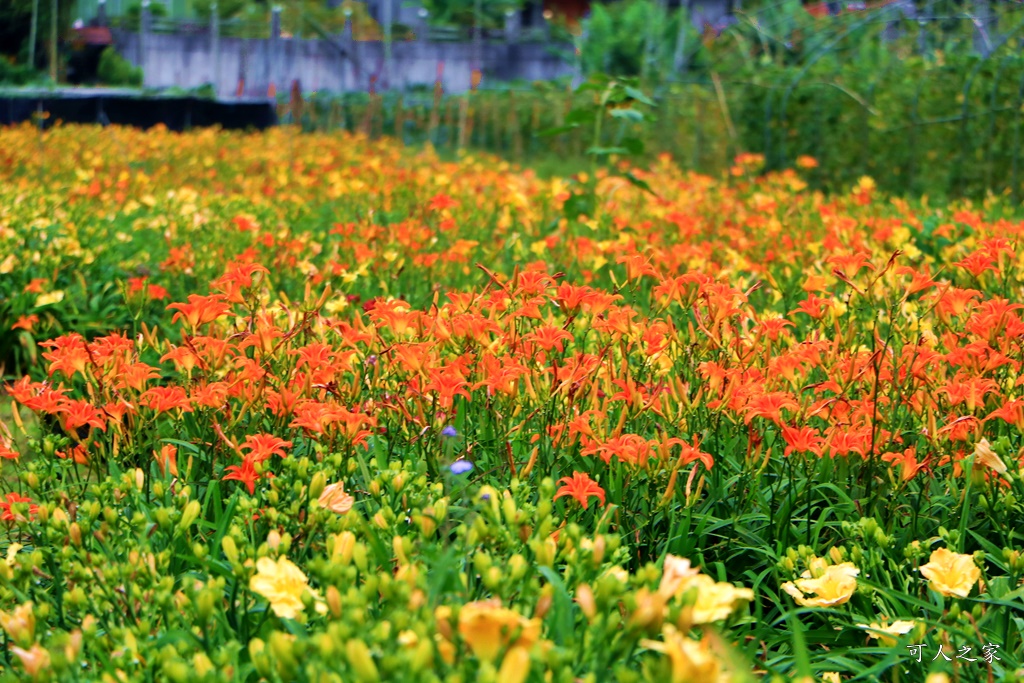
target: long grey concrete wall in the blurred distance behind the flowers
<point>188,62</point>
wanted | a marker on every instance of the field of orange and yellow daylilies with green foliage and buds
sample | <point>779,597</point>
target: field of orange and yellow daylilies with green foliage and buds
<point>294,407</point>
